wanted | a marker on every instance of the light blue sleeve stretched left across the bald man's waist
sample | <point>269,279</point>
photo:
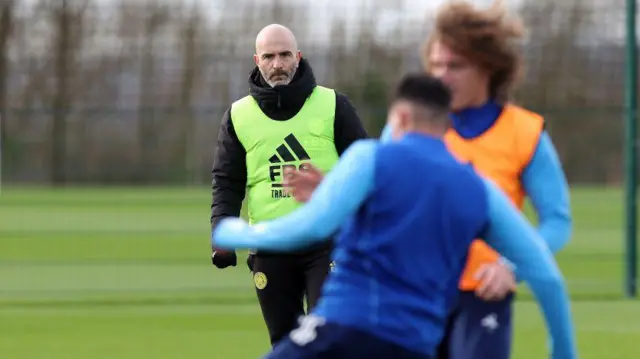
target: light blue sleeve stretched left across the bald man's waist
<point>337,198</point>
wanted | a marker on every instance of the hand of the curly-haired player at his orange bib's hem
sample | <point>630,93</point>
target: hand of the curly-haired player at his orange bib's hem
<point>496,281</point>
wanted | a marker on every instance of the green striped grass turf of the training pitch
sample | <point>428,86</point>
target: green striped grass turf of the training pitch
<point>125,273</point>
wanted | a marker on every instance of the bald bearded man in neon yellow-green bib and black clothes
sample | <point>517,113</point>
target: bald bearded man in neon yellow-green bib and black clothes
<point>286,122</point>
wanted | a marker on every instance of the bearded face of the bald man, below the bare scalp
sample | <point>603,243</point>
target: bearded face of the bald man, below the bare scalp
<point>277,60</point>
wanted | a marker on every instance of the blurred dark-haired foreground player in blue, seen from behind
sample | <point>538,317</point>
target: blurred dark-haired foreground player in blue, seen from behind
<point>407,211</point>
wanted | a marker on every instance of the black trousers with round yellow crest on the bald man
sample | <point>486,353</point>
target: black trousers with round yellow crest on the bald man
<point>283,281</point>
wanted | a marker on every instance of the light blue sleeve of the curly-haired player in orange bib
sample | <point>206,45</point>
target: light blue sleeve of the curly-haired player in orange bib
<point>547,188</point>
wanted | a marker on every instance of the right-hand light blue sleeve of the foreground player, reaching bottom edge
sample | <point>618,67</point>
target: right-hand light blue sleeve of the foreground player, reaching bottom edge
<point>511,234</point>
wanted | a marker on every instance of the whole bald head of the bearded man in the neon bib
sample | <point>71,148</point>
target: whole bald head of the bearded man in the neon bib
<point>277,55</point>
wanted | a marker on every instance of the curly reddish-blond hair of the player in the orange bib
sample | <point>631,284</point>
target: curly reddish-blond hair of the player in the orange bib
<point>485,37</point>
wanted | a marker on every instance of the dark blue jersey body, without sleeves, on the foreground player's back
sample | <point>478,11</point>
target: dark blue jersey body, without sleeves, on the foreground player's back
<point>400,257</point>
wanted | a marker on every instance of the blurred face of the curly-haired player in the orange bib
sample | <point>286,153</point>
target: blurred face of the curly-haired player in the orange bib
<point>468,83</point>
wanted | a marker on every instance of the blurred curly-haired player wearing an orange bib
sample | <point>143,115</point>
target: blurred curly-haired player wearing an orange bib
<point>473,51</point>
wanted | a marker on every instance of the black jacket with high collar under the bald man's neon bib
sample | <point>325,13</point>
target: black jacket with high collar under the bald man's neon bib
<point>279,103</point>
